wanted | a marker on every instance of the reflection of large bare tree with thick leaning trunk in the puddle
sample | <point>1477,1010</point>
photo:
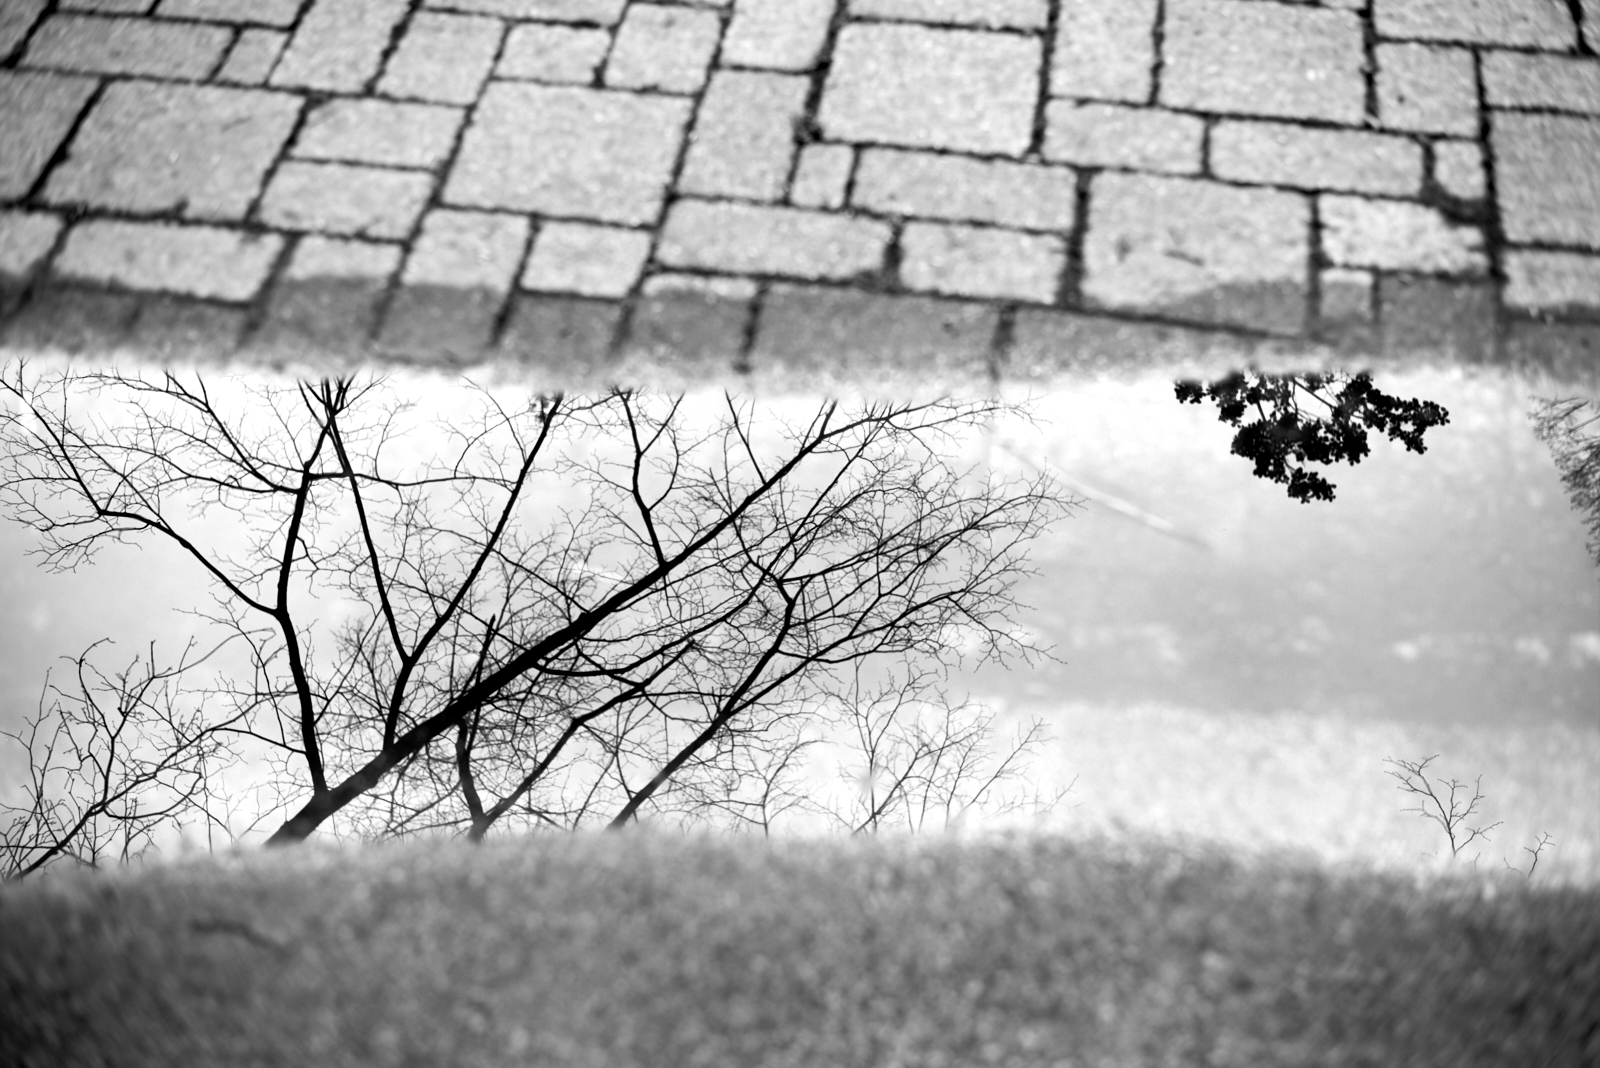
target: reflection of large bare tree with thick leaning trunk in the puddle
<point>567,610</point>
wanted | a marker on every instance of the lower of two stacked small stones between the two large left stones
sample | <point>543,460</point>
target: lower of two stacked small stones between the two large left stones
<point>350,201</point>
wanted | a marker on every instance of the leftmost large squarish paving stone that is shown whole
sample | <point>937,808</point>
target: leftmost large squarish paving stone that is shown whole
<point>198,149</point>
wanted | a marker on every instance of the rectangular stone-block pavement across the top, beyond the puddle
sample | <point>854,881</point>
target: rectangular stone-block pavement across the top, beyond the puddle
<point>802,191</point>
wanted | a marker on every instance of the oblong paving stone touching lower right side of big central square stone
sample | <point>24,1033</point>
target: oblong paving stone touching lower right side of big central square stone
<point>1111,135</point>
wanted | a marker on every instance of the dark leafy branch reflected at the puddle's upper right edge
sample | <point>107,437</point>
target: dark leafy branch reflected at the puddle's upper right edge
<point>1284,436</point>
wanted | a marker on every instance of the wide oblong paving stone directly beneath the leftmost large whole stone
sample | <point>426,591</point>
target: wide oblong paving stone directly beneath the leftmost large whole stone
<point>201,261</point>
